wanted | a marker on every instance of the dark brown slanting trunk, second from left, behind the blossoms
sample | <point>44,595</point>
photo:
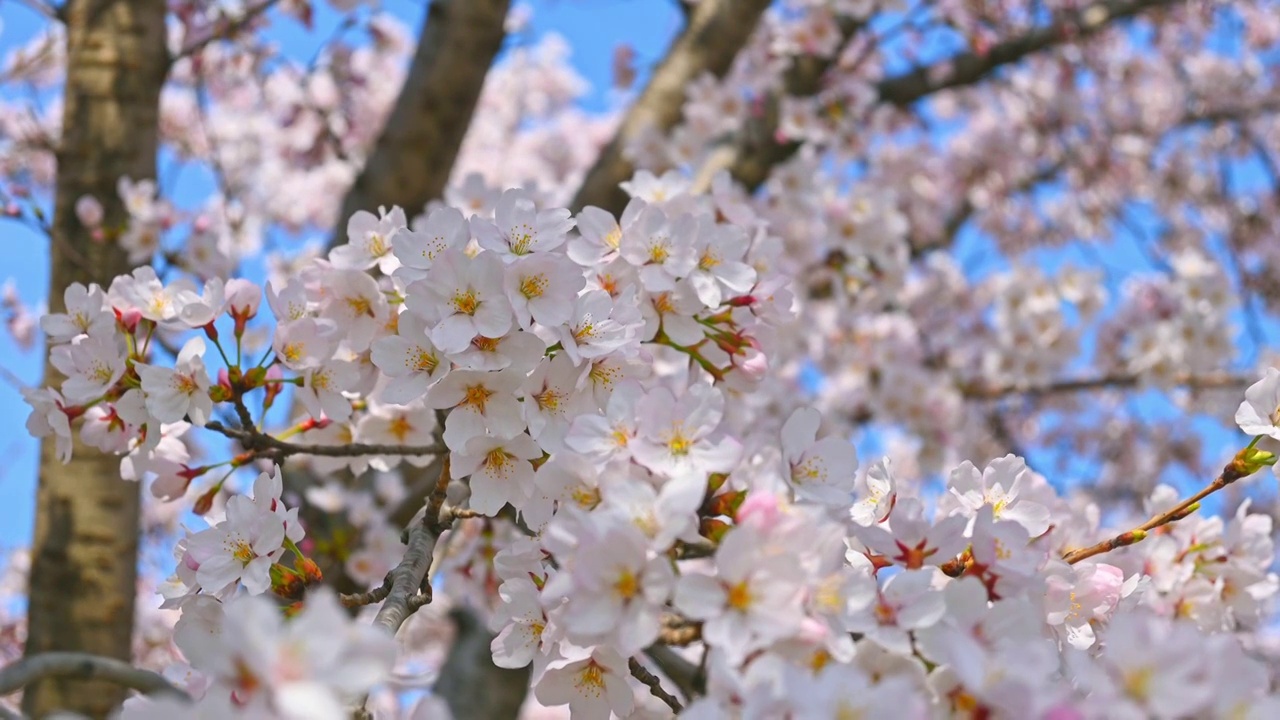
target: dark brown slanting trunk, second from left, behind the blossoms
<point>413,158</point>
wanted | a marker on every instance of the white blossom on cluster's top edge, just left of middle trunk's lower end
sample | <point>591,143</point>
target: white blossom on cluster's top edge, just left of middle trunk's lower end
<point>520,229</point>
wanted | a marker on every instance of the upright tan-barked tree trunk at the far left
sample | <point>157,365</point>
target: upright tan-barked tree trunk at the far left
<point>85,550</point>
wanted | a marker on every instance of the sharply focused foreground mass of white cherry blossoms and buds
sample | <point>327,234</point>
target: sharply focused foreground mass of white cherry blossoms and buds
<point>596,376</point>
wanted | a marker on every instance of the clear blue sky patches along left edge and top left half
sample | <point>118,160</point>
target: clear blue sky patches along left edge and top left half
<point>592,28</point>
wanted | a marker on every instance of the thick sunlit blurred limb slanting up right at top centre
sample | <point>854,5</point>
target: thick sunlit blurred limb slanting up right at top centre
<point>716,31</point>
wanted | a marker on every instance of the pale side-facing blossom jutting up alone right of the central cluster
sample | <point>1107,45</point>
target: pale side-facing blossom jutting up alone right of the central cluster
<point>820,471</point>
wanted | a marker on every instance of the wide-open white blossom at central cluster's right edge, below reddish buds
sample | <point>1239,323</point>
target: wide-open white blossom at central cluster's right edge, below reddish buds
<point>679,436</point>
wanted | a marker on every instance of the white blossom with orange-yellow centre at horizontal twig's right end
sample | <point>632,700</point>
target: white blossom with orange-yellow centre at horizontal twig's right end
<point>500,471</point>
